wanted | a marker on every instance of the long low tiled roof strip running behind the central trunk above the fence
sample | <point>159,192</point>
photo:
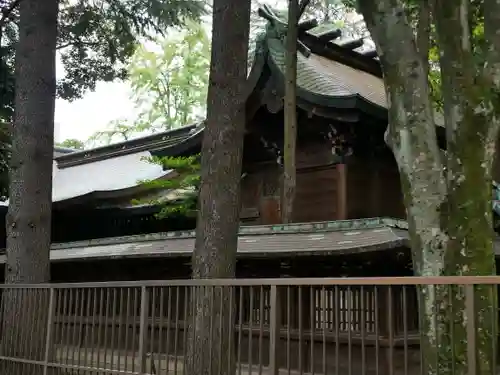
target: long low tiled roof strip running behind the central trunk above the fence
<point>335,238</point>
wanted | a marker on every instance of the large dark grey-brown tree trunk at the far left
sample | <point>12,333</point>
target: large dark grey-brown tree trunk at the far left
<point>29,214</point>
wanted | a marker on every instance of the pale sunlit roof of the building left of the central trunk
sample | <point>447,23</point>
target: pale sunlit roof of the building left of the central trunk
<point>115,168</point>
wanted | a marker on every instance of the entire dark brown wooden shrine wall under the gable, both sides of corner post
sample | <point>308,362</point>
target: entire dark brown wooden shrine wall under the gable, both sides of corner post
<point>363,187</point>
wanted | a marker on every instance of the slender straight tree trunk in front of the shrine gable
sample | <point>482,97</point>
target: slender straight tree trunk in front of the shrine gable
<point>290,111</point>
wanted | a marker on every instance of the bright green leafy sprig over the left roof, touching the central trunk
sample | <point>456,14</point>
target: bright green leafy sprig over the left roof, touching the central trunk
<point>183,186</point>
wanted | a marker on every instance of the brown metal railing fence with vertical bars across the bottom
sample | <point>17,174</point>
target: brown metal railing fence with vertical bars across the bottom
<point>346,326</point>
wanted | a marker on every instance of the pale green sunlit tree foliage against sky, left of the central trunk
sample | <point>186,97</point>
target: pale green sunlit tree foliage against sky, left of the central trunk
<point>169,85</point>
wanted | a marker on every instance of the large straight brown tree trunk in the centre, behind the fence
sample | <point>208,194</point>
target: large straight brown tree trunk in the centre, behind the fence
<point>211,327</point>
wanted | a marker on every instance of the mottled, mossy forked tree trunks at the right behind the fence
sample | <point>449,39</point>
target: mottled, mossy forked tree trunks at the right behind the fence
<point>448,201</point>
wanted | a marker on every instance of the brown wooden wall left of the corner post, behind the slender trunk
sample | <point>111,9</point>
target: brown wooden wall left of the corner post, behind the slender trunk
<point>318,193</point>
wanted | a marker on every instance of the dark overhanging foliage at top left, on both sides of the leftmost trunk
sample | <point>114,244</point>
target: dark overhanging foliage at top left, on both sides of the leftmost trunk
<point>96,40</point>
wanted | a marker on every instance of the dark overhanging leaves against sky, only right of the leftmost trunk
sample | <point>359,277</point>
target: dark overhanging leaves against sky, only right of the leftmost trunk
<point>97,38</point>
